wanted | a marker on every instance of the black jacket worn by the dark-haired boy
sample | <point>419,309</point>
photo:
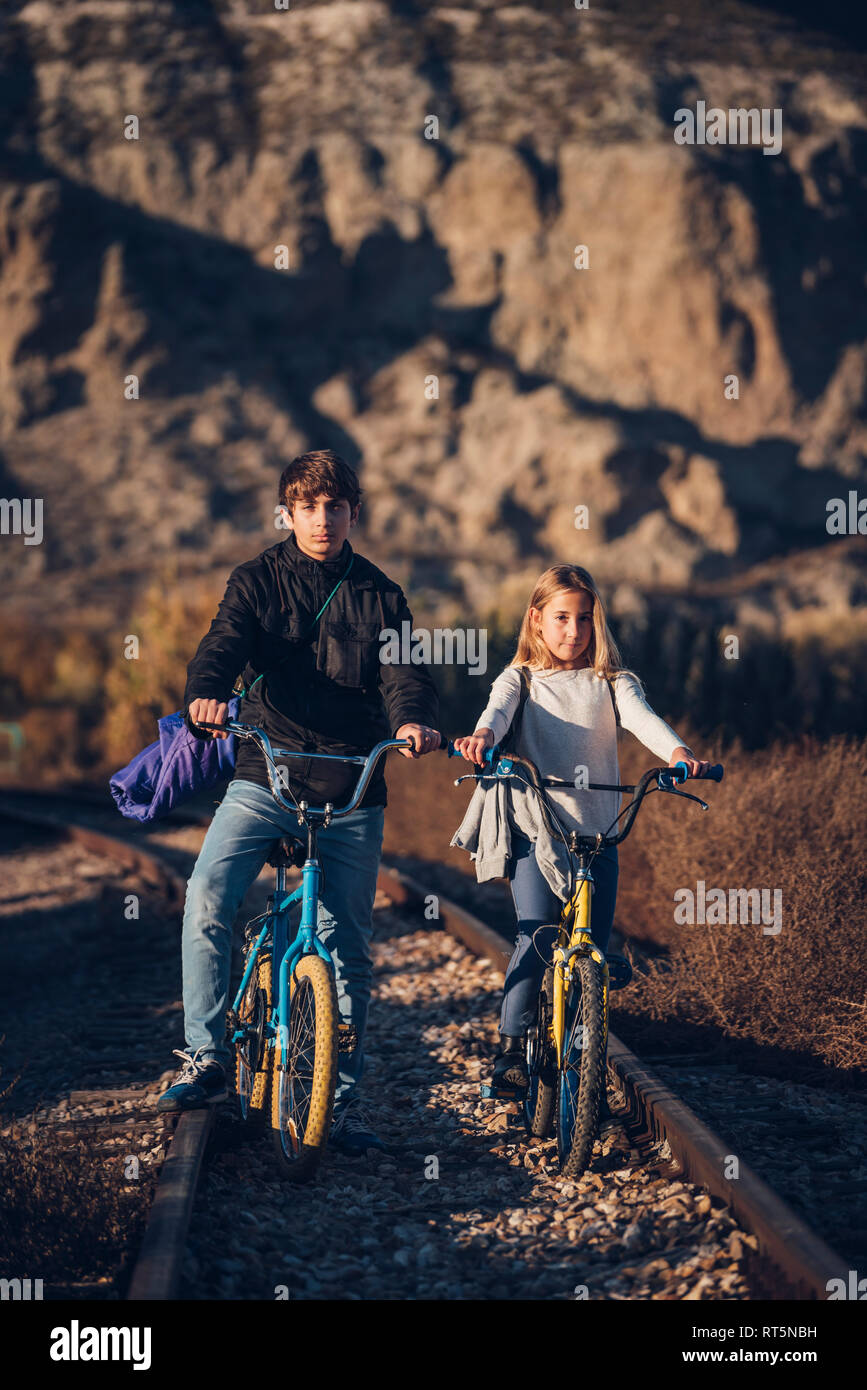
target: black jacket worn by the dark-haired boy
<point>331,694</point>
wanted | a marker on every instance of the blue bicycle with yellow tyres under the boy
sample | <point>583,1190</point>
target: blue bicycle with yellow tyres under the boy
<point>284,1022</point>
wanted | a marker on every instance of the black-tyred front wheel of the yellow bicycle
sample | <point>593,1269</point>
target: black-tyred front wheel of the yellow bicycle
<point>583,1074</point>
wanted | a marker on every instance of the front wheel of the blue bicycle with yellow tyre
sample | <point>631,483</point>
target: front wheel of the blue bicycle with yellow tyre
<point>305,1078</point>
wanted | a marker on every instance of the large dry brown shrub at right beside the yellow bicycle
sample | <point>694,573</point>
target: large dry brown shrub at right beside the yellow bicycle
<point>790,819</point>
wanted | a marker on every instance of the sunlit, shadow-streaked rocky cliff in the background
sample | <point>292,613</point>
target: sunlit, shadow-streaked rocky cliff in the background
<point>281,259</point>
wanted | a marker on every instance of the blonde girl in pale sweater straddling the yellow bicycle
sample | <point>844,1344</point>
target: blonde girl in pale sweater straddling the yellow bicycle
<point>579,692</point>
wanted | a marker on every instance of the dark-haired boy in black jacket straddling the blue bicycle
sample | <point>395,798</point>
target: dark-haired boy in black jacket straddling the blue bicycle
<point>324,692</point>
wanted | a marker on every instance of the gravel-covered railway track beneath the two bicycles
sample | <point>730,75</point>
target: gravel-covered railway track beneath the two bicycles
<point>658,1216</point>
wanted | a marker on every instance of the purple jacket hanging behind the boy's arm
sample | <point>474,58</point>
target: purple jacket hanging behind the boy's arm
<point>176,768</point>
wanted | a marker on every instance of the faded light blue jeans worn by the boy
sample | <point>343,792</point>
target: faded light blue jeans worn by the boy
<point>238,842</point>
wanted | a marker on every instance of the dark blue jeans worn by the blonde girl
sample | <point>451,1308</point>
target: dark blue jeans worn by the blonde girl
<point>537,906</point>
